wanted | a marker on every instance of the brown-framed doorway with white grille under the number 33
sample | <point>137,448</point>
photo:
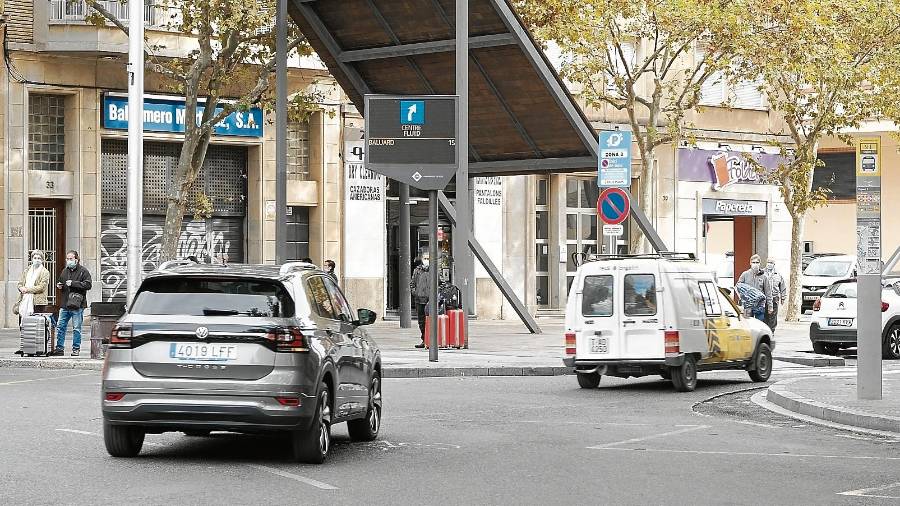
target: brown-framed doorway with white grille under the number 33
<point>46,232</point>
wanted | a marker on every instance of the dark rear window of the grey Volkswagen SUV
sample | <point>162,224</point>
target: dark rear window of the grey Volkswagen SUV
<point>201,296</point>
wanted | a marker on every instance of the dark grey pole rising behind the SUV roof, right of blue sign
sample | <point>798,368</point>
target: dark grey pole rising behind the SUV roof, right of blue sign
<point>281,132</point>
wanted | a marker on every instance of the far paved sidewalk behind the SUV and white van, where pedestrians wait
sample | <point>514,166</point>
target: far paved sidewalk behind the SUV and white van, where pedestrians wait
<point>496,348</point>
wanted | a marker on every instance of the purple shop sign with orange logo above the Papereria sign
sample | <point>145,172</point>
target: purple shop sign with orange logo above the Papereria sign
<point>722,168</point>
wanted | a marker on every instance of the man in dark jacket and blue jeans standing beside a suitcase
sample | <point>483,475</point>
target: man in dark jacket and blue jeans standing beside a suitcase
<point>74,281</point>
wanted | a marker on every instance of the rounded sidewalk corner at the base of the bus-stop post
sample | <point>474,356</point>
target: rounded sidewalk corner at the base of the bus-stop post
<point>833,399</point>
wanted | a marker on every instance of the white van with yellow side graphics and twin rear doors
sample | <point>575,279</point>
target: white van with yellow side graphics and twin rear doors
<point>638,315</point>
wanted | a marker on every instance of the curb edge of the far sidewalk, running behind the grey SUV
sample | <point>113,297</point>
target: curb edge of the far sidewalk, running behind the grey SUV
<point>388,371</point>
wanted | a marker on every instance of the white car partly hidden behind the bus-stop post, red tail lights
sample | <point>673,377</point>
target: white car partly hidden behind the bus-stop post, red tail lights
<point>833,325</point>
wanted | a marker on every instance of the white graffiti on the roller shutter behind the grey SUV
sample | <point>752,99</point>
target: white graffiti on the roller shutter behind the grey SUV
<point>198,238</point>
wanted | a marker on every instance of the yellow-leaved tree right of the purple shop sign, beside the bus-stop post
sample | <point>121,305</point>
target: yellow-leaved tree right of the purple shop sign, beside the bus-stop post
<point>827,66</point>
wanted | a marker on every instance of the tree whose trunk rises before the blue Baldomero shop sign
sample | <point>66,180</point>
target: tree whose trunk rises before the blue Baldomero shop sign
<point>234,55</point>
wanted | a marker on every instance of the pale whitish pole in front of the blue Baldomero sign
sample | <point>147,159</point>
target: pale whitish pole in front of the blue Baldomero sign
<point>134,178</point>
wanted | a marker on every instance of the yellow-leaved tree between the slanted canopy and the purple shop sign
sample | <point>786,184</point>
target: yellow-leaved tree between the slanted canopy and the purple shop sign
<point>647,58</point>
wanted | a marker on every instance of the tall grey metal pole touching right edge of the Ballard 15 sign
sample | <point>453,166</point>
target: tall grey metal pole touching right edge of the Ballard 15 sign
<point>464,265</point>
